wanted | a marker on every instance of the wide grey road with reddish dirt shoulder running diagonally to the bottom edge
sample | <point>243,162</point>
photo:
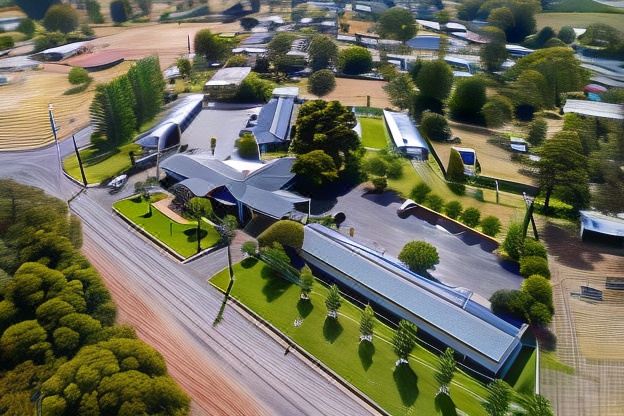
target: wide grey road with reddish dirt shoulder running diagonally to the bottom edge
<point>232,369</point>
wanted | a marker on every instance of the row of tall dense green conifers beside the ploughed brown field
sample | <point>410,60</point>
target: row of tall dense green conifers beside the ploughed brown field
<point>121,106</point>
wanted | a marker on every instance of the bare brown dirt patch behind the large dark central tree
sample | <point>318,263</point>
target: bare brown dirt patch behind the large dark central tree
<point>353,92</point>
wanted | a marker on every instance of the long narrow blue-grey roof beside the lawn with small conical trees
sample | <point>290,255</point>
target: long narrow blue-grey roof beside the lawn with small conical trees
<point>448,310</point>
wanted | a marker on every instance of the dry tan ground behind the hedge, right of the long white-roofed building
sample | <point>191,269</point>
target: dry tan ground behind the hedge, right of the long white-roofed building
<point>495,161</point>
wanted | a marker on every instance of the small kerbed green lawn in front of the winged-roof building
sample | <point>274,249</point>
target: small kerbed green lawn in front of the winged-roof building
<point>181,238</point>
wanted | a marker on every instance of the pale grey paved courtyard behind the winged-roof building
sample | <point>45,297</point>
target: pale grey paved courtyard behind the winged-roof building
<point>222,124</point>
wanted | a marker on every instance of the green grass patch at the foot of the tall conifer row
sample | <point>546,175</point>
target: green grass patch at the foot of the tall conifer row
<point>100,164</point>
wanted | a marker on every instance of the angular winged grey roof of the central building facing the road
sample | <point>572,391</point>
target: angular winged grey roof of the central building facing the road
<point>261,190</point>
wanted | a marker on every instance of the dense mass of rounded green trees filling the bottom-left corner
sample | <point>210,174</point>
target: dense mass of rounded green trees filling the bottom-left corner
<point>59,343</point>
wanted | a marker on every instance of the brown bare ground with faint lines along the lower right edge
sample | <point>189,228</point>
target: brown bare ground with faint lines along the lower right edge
<point>588,335</point>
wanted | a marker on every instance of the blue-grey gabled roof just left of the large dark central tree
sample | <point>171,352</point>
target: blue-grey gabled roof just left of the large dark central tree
<point>274,121</point>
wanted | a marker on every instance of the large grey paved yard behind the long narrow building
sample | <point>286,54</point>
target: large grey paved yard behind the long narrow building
<point>461,264</point>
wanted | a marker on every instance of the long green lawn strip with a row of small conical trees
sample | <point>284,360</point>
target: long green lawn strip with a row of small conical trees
<point>369,368</point>
